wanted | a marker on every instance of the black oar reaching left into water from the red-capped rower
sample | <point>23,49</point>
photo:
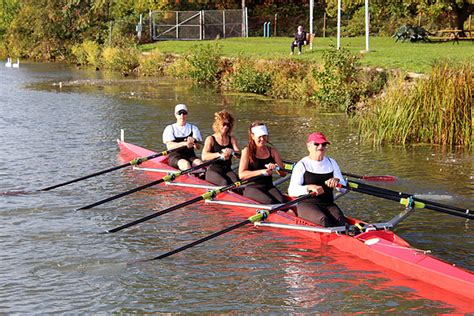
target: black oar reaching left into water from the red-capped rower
<point>262,214</point>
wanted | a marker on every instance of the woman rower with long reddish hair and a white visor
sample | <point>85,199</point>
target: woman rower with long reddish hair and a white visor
<point>260,159</point>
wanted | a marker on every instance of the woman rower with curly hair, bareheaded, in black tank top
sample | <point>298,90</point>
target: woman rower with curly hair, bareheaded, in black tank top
<point>221,144</point>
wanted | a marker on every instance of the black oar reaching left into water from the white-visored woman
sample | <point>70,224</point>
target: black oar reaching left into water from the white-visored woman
<point>206,196</point>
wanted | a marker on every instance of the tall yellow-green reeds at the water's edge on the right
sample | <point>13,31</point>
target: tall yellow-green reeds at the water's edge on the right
<point>436,110</point>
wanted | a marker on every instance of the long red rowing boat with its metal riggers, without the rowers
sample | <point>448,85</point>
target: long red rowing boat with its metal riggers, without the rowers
<point>376,243</point>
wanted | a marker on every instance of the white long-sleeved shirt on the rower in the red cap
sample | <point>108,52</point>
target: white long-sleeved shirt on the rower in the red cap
<point>326,165</point>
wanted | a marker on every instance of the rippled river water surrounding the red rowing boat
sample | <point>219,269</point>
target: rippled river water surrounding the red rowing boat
<point>52,259</point>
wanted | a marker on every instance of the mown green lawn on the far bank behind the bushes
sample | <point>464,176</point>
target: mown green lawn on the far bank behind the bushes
<point>384,52</point>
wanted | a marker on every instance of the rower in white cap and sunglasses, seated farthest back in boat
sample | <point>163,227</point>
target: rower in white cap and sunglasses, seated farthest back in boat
<point>182,134</point>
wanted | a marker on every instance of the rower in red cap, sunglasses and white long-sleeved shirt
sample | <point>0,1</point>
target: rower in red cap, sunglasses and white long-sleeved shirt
<point>320,174</point>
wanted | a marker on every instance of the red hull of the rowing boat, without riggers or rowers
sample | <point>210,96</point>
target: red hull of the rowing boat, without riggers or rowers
<point>381,247</point>
